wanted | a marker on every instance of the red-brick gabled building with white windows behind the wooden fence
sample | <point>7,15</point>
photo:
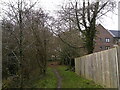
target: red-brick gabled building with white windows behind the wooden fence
<point>106,39</point>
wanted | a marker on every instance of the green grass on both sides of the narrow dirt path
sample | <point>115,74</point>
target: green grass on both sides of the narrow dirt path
<point>69,80</point>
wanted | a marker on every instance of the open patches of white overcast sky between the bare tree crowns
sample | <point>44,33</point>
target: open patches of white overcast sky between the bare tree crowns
<point>109,22</point>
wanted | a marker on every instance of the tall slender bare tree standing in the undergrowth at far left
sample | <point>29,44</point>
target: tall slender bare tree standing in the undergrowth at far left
<point>16,16</point>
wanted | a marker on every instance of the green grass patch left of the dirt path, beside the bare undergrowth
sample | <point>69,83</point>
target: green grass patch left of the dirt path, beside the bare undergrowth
<point>49,81</point>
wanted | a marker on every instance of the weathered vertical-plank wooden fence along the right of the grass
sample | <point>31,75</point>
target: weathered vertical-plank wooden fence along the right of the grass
<point>101,67</point>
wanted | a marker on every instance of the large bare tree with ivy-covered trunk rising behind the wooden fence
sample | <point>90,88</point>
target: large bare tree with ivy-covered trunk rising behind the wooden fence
<point>84,15</point>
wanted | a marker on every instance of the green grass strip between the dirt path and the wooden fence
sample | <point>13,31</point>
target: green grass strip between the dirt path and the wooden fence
<point>72,80</point>
